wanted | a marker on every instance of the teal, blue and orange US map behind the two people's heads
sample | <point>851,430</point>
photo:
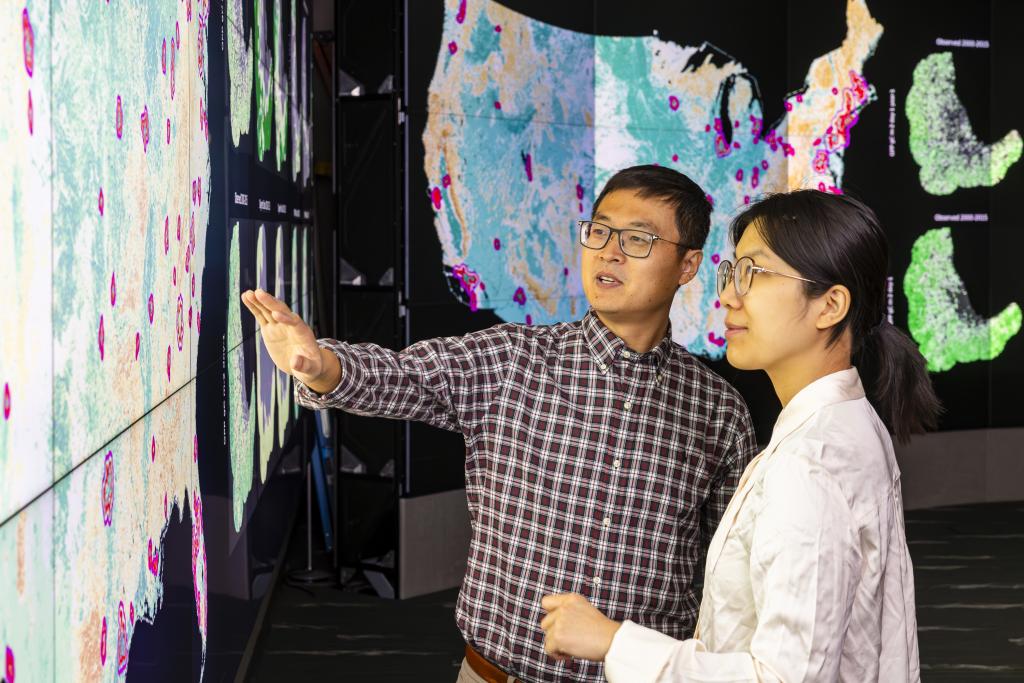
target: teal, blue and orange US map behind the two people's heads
<point>511,107</point>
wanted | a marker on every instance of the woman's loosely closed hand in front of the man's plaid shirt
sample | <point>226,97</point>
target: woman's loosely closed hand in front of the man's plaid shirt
<point>574,628</point>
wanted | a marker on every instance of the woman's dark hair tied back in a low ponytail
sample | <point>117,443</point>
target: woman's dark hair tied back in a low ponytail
<point>837,240</point>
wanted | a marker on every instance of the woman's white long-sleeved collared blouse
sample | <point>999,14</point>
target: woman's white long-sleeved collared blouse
<point>808,576</point>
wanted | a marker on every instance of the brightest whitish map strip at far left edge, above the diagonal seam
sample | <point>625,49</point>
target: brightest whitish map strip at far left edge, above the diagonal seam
<point>26,258</point>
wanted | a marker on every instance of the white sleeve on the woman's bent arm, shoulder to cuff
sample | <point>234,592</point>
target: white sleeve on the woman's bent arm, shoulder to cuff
<point>805,564</point>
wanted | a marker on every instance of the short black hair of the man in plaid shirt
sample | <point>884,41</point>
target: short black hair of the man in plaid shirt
<point>692,204</point>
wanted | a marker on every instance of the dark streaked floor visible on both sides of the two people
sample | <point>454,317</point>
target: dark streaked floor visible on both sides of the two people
<point>969,569</point>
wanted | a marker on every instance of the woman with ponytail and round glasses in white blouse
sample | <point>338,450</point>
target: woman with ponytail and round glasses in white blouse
<point>808,577</point>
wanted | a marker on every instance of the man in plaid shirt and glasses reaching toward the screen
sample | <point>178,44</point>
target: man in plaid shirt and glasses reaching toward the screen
<point>601,455</point>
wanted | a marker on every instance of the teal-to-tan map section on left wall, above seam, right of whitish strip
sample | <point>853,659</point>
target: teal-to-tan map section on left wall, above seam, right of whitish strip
<point>132,185</point>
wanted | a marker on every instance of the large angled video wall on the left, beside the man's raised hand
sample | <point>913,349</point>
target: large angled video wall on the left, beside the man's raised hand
<point>156,163</point>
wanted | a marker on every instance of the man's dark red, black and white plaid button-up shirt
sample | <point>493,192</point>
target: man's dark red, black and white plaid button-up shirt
<point>590,469</point>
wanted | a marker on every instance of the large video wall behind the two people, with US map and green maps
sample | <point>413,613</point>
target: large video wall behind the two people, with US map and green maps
<point>526,109</point>
